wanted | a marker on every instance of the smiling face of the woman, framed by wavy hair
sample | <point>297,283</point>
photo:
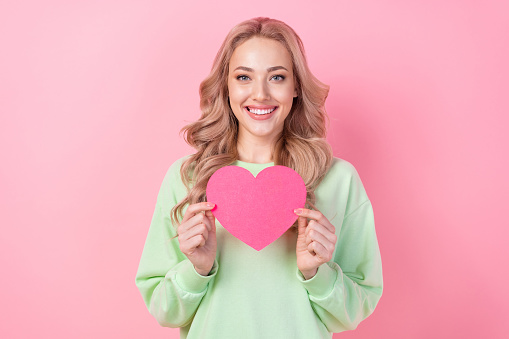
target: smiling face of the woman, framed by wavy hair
<point>261,87</point>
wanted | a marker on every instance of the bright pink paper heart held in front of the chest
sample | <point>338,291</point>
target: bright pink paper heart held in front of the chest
<point>258,210</point>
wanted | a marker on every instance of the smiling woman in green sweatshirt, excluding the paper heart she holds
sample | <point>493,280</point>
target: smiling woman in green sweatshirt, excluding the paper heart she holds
<point>261,106</point>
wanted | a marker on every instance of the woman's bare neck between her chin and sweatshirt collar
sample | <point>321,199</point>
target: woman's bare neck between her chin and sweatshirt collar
<point>255,150</point>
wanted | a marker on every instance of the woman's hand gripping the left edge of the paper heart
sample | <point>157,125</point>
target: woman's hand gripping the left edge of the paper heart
<point>197,236</point>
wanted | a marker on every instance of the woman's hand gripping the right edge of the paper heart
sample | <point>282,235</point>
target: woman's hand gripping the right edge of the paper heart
<point>315,243</point>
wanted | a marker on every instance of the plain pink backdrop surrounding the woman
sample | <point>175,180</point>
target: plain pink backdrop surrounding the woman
<point>94,93</point>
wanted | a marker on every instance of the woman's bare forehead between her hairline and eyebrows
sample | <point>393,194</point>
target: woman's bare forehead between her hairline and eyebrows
<point>260,54</point>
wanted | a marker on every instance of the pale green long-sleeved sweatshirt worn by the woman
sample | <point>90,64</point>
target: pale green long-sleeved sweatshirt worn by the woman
<point>262,294</point>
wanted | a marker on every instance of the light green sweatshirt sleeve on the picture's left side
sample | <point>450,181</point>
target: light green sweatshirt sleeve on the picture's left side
<point>170,286</point>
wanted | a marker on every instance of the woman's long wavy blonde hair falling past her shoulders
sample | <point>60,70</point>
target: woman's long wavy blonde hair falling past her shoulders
<point>301,146</point>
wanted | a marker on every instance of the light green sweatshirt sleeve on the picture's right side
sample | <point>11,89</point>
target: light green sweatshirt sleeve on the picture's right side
<point>346,290</point>
